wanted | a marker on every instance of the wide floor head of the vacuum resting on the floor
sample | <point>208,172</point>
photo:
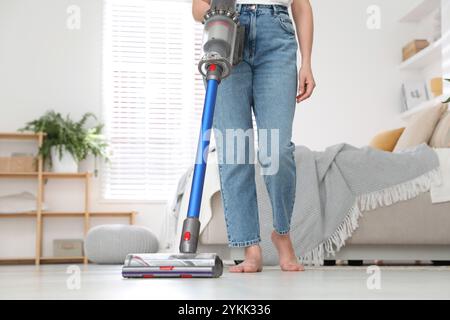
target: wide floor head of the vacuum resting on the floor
<point>180,265</point>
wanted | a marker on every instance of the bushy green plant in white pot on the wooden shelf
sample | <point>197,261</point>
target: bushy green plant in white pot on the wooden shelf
<point>68,142</point>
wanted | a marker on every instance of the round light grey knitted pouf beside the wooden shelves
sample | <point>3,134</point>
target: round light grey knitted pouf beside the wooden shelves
<point>110,243</point>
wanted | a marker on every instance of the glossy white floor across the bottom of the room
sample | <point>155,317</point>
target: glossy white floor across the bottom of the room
<point>105,282</point>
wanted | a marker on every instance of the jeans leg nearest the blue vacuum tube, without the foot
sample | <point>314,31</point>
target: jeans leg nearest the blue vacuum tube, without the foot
<point>233,112</point>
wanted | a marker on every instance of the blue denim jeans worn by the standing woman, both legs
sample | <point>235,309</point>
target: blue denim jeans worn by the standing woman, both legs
<point>265,83</point>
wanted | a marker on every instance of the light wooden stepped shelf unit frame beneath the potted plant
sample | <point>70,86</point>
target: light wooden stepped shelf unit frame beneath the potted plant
<point>41,176</point>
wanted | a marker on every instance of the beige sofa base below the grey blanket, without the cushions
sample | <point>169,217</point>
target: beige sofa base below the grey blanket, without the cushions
<point>409,230</point>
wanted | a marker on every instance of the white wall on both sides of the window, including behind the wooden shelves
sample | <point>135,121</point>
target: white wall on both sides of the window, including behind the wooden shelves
<point>43,65</point>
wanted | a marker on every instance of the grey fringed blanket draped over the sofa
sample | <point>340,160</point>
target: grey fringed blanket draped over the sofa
<point>335,186</point>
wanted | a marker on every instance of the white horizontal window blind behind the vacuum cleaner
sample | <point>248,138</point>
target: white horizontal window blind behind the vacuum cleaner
<point>152,96</point>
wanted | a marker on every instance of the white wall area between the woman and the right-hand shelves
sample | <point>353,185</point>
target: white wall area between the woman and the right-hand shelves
<point>358,83</point>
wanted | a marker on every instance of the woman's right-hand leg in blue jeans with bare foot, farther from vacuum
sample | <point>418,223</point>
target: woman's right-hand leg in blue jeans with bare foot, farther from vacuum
<point>274,92</point>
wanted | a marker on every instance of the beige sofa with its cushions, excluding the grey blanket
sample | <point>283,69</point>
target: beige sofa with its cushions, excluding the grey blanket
<point>410,230</point>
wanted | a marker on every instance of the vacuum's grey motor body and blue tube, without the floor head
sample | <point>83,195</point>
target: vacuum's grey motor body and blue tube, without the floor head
<point>223,47</point>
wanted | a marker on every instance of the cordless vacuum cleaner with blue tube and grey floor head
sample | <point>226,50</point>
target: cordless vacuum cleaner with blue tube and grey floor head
<point>223,46</point>
